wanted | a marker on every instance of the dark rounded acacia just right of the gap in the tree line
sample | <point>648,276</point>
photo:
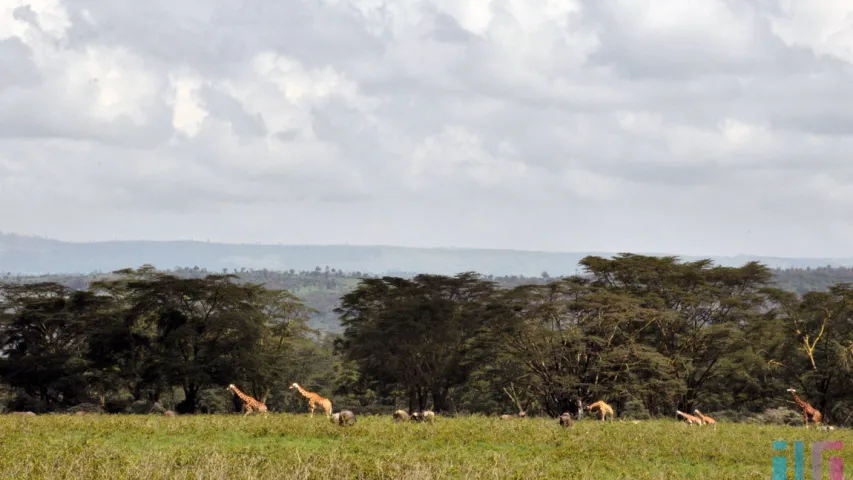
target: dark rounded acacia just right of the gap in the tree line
<point>416,334</point>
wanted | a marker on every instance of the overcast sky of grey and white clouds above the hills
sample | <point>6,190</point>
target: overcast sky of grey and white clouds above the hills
<point>712,127</point>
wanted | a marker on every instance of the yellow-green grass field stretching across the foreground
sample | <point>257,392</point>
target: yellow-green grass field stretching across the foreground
<point>296,446</point>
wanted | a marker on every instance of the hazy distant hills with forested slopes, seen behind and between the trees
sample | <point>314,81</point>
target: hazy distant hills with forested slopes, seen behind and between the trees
<point>320,275</point>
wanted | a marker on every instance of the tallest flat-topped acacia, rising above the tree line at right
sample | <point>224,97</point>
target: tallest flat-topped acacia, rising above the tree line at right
<point>706,309</point>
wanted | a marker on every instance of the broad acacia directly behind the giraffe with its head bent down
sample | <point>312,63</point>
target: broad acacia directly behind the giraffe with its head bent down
<point>577,341</point>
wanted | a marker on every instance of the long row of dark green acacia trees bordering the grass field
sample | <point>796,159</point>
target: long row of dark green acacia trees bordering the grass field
<point>648,334</point>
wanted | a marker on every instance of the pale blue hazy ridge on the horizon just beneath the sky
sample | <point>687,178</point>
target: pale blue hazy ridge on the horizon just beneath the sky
<point>34,255</point>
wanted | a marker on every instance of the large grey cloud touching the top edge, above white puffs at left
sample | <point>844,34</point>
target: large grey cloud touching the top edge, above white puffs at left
<point>216,37</point>
